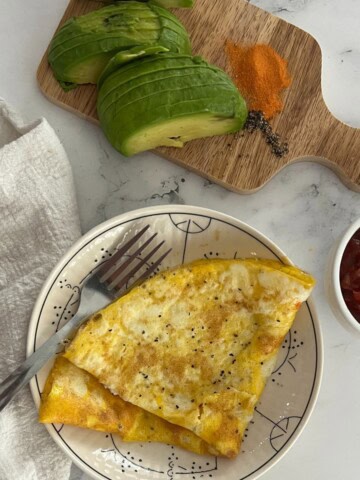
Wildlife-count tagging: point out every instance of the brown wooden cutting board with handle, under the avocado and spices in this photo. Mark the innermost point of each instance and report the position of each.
(244, 163)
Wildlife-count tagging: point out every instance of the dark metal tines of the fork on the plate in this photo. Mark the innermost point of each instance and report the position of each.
(115, 273)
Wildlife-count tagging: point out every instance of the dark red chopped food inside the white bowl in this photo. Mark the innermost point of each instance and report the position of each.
(350, 275)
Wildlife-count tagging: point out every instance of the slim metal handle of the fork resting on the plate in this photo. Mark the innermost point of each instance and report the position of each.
(24, 373)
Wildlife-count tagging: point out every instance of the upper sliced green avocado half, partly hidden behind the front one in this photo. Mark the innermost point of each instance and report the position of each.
(84, 45)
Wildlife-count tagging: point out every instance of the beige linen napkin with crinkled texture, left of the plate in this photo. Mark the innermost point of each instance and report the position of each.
(38, 222)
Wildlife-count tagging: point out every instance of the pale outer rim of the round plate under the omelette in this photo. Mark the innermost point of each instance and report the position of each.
(153, 211)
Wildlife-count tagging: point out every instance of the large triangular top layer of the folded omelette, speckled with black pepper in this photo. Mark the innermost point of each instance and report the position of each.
(195, 345)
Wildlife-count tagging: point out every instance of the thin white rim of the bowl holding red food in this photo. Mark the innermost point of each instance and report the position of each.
(339, 253)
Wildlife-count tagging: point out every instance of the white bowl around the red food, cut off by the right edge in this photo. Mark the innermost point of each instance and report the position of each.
(332, 281)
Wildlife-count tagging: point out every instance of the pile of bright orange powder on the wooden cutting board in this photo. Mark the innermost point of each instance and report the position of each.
(260, 74)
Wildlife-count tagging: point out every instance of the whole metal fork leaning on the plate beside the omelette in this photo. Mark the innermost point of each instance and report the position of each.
(99, 289)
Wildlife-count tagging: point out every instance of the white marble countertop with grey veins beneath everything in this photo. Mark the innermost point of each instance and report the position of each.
(303, 209)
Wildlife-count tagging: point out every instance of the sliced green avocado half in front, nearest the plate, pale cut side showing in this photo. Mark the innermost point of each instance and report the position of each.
(167, 100)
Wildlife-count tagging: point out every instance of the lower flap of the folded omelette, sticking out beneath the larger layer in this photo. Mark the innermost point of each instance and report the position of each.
(74, 397)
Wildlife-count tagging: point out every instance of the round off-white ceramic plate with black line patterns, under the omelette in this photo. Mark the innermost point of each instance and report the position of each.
(288, 399)
